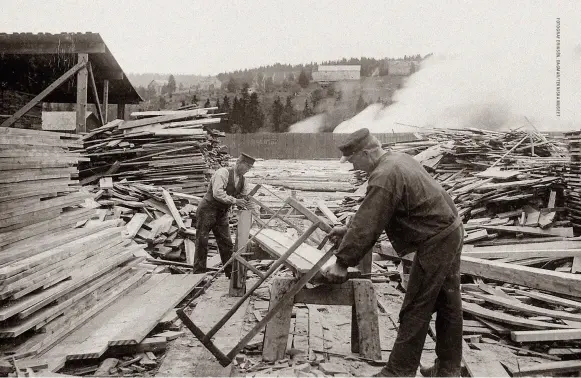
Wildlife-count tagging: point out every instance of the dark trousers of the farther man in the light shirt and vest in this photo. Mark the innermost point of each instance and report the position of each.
(211, 218)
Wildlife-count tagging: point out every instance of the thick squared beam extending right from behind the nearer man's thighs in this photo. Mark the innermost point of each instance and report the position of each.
(542, 279)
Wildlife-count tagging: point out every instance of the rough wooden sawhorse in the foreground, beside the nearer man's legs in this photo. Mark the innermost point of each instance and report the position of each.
(357, 293)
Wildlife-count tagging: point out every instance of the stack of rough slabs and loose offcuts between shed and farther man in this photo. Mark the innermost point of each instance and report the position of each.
(146, 169)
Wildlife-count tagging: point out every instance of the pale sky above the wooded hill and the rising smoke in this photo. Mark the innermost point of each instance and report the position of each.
(209, 37)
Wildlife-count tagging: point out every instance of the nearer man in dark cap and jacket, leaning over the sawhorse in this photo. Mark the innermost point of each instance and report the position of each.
(418, 215)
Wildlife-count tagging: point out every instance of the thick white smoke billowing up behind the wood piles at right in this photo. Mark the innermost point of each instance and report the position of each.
(492, 88)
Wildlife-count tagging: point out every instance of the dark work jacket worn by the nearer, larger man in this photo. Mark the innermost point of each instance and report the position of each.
(405, 201)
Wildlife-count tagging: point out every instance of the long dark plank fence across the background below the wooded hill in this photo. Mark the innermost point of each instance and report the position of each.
(296, 145)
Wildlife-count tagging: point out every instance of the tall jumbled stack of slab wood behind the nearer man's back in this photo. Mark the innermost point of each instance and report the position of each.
(503, 183)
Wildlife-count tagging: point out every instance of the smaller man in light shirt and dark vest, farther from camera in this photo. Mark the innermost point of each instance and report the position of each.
(227, 187)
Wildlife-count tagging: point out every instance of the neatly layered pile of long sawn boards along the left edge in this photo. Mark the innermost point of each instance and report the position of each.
(62, 263)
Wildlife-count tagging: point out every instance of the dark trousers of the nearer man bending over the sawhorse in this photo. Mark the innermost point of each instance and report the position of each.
(433, 286)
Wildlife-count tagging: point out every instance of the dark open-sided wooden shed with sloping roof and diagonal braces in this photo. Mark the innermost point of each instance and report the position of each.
(64, 68)
